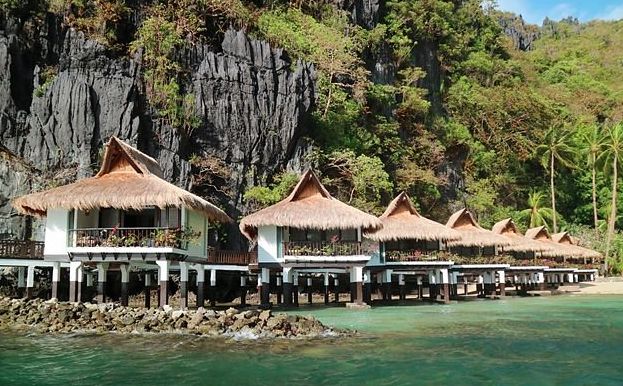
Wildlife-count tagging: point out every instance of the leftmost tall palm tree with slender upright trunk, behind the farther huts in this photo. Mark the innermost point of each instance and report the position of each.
(556, 148)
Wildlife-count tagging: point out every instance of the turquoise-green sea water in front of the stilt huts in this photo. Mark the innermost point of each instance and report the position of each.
(534, 341)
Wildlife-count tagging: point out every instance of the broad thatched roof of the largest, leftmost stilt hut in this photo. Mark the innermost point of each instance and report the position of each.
(128, 179)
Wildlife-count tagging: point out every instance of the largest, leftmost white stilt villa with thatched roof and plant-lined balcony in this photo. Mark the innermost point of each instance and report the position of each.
(125, 216)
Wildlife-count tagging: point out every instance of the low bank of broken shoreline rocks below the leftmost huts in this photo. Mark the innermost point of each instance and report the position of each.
(63, 317)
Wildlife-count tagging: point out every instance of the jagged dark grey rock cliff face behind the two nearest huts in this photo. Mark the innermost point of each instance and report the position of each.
(251, 100)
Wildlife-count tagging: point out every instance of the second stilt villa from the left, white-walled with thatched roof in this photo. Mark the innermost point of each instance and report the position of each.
(310, 230)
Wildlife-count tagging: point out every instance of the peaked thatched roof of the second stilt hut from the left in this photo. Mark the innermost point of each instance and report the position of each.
(309, 206)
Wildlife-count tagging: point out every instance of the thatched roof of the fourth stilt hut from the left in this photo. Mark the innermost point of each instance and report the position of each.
(472, 234)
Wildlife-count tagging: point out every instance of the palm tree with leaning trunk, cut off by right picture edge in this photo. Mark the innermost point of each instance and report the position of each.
(611, 159)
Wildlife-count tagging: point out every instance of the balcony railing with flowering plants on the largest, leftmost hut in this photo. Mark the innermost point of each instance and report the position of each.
(128, 237)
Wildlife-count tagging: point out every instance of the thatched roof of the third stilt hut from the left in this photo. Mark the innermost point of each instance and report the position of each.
(402, 221)
